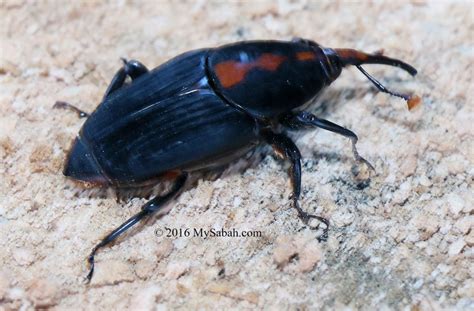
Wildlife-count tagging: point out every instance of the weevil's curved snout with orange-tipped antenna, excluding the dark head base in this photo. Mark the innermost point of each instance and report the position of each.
(357, 58)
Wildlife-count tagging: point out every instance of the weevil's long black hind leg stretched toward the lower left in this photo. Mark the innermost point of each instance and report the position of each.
(147, 210)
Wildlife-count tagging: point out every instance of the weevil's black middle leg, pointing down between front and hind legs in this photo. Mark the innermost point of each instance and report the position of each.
(284, 147)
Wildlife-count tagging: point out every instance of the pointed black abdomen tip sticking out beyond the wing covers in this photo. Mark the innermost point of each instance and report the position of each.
(80, 165)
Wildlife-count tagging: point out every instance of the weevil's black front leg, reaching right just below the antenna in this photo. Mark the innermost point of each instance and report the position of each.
(305, 119)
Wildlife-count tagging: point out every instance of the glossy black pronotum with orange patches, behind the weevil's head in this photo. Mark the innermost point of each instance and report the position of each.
(267, 78)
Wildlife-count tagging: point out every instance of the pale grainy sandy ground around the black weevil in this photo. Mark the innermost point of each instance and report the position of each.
(400, 239)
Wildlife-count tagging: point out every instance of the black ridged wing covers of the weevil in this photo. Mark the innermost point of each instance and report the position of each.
(169, 119)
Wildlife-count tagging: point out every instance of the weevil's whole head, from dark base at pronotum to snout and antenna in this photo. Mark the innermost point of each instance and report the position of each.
(339, 58)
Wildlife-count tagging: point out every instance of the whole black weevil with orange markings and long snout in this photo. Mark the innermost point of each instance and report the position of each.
(203, 109)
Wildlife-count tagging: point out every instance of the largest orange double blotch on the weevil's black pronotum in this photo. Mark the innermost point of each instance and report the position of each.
(232, 72)
